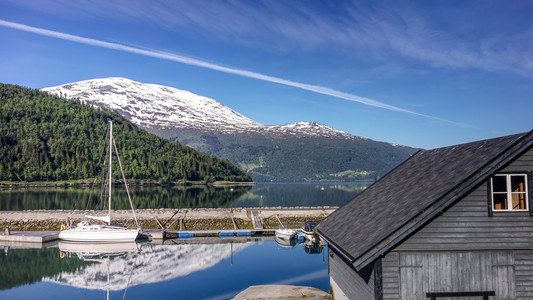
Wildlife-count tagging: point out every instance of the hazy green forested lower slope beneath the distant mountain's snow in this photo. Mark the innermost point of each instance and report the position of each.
(289, 158)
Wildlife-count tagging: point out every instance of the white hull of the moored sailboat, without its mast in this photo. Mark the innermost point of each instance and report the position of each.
(104, 234)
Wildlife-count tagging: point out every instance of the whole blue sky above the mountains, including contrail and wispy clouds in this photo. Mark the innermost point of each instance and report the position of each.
(419, 73)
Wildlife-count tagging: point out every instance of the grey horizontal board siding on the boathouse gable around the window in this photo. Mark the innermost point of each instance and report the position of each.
(468, 226)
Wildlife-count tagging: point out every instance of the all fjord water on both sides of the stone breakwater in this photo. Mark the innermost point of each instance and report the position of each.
(210, 268)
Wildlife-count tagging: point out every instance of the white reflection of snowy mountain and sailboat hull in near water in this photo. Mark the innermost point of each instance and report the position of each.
(141, 264)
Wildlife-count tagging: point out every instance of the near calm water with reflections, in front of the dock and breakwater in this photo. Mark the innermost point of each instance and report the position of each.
(208, 268)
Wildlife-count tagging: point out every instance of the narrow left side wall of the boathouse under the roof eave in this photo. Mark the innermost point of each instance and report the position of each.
(352, 284)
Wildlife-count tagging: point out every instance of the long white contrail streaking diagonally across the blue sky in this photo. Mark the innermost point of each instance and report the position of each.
(207, 65)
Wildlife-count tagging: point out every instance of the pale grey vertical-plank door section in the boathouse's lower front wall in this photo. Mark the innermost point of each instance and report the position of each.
(457, 272)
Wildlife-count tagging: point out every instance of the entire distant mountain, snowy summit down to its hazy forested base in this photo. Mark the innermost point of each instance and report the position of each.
(299, 151)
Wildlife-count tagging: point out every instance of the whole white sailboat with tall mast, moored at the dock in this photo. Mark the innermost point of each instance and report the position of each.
(86, 231)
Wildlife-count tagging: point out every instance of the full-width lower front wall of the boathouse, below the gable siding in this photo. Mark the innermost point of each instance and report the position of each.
(508, 273)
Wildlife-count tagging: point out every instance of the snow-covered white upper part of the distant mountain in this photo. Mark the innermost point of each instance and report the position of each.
(156, 107)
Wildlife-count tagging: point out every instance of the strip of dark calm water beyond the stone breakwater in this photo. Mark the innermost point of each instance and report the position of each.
(151, 197)
